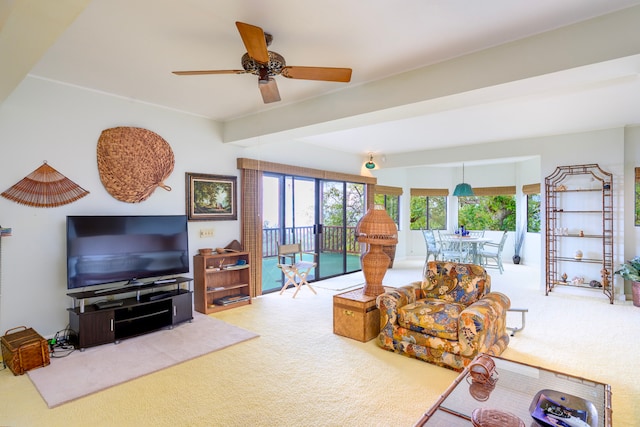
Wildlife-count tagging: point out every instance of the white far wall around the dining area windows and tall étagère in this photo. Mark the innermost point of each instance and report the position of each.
(615, 150)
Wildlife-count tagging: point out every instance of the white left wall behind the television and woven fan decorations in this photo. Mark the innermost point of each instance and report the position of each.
(61, 124)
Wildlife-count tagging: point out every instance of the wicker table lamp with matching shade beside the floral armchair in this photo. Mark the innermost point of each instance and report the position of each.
(377, 229)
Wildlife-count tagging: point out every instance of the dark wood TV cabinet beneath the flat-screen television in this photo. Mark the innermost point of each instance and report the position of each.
(152, 306)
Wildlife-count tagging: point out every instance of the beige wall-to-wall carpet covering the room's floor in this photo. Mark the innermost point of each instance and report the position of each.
(298, 373)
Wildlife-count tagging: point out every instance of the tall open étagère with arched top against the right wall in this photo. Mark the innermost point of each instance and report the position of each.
(579, 215)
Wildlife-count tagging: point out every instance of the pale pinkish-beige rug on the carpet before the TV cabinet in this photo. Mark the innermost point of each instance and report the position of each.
(85, 372)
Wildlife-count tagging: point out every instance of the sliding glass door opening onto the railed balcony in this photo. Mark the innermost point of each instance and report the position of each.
(319, 214)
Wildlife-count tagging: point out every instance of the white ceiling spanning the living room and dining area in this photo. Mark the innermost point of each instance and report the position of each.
(129, 48)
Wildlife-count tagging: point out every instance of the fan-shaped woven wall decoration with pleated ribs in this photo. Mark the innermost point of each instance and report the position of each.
(45, 187)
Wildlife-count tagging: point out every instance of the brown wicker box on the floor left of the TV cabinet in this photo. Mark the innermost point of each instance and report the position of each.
(24, 349)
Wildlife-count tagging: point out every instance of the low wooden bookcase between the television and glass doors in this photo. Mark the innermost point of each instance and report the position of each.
(212, 283)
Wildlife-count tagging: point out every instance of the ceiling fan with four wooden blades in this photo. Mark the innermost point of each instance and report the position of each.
(266, 64)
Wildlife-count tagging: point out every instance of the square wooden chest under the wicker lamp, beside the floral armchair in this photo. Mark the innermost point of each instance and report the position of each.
(355, 315)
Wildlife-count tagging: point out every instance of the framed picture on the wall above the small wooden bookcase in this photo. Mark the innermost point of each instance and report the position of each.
(211, 197)
